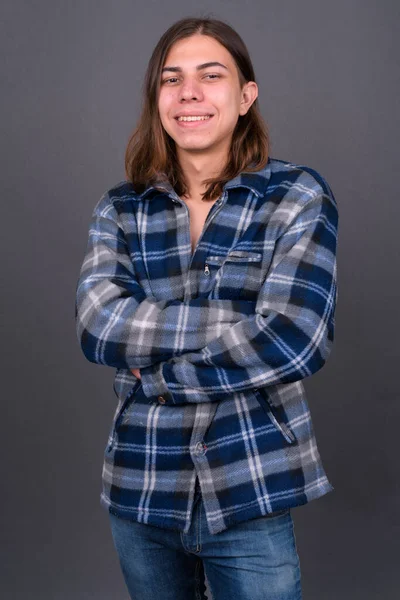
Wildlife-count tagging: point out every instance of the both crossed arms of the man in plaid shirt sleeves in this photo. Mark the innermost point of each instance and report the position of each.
(203, 350)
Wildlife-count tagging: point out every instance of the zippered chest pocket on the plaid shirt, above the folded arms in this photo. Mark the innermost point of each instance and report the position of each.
(236, 275)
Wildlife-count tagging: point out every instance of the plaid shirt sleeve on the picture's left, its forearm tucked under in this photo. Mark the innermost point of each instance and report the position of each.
(118, 325)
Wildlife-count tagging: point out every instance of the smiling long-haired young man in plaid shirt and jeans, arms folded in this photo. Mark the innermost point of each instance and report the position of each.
(209, 283)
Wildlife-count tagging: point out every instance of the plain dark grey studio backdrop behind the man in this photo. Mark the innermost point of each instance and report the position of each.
(328, 75)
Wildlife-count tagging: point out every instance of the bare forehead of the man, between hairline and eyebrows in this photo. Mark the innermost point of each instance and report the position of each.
(189, 52)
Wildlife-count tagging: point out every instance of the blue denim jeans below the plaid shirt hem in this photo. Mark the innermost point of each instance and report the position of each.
(253, 560)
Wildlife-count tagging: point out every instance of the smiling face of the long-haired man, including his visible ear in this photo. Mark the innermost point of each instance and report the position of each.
(200, 79)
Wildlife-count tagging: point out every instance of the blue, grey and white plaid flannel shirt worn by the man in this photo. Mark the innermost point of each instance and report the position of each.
(223, 337)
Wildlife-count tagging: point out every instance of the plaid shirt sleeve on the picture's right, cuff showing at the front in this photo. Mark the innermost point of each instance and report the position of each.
(291, 333)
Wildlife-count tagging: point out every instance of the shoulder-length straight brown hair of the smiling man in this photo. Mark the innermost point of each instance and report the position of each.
(151, 155)
